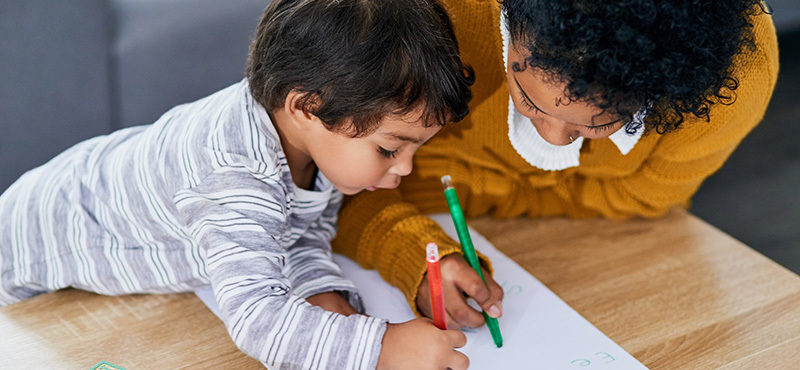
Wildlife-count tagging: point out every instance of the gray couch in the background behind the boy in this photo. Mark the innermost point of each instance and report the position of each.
(71, 70)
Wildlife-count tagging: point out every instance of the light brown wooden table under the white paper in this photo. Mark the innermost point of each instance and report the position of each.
(674, 292)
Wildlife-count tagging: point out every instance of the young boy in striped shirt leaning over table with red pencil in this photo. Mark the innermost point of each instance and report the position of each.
(241, 189)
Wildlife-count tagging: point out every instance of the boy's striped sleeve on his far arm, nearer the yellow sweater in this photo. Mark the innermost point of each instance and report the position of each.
(310, 266)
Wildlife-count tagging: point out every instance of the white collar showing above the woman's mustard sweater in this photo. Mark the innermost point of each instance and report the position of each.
(538, 152)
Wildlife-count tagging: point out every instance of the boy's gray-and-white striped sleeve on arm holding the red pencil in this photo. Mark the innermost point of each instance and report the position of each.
(230, 213)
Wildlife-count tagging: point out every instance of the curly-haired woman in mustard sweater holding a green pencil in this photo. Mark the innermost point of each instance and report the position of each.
(581, 108)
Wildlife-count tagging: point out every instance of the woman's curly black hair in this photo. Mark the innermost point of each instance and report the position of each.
(670, 57)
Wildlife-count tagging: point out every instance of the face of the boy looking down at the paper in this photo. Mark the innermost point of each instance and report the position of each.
(370, 162)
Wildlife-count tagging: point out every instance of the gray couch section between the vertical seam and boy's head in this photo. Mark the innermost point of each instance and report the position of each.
(171, 52)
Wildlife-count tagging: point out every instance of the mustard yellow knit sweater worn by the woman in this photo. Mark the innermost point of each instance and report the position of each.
(386, 230)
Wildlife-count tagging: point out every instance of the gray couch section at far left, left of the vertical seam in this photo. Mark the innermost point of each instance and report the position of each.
(54, 73)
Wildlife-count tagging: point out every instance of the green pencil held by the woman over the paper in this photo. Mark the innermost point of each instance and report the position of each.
(468, 249)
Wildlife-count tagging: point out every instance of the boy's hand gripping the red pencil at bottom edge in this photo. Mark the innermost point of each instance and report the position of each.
(419, 345)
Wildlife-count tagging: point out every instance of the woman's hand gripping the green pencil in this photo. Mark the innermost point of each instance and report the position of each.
(460, 281)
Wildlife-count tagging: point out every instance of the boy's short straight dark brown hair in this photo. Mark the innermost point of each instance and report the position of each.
(357, 61)
